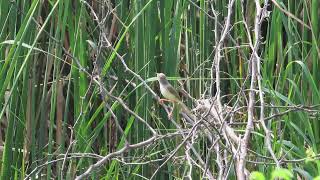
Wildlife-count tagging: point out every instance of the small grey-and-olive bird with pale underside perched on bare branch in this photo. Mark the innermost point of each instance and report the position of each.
(171, 95)
